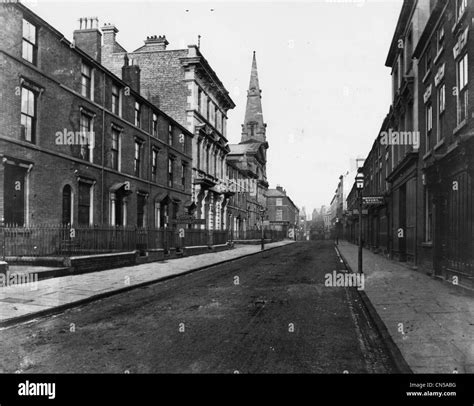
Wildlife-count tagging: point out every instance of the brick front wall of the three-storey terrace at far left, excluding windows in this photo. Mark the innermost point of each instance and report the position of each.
(59, 103)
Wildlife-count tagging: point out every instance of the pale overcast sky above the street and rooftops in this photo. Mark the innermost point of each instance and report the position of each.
(321, 65)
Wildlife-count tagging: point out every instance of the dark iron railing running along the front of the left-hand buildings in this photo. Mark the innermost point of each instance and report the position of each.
(66, 240)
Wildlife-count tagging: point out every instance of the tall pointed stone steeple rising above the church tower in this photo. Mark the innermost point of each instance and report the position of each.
(253, 129)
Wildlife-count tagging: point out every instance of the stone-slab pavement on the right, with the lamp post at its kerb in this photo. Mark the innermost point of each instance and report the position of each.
(431, 322)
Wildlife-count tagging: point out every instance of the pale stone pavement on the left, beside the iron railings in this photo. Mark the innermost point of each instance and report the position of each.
(36, 298)
